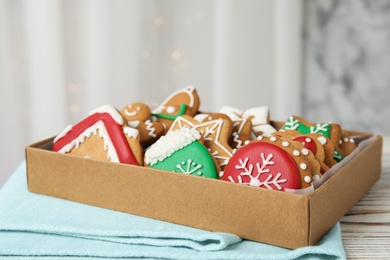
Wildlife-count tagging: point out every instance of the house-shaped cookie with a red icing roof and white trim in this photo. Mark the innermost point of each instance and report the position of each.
(103, 135)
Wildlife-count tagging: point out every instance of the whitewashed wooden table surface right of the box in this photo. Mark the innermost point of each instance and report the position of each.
(366, 227)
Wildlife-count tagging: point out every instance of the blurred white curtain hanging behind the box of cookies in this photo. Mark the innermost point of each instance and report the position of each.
(61, 59)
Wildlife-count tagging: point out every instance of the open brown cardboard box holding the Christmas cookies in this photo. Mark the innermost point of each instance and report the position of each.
(273, 217)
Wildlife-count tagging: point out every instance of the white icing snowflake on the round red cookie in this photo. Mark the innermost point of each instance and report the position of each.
(248, 170)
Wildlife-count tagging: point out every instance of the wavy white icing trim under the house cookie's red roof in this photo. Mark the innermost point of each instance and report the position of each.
(108, 145)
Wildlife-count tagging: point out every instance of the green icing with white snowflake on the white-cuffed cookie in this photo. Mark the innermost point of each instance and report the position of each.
(194, 159)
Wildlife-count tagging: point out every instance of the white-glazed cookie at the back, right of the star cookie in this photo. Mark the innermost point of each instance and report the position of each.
(258, 116)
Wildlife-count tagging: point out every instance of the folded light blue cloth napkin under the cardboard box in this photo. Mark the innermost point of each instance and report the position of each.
(33, 225)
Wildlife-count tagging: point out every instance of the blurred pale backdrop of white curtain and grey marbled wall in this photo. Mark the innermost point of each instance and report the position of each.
(325, 60)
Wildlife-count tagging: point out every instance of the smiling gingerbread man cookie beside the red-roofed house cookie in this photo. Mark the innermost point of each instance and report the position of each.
(138, 115)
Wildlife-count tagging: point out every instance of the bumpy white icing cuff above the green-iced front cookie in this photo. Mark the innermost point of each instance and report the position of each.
(170, 143)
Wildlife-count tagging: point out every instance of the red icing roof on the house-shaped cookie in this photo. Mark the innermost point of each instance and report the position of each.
(114, 130)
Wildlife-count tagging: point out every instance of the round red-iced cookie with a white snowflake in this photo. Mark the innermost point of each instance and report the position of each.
(265, 165)
